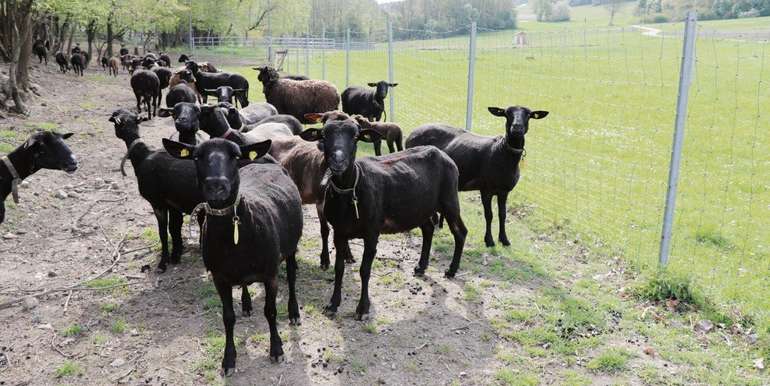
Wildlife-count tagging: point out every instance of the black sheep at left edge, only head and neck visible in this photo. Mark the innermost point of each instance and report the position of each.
(41, 150)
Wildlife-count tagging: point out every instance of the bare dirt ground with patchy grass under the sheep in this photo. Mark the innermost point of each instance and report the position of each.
(166, 329)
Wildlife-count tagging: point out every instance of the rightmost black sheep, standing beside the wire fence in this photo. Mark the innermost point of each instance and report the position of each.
(487, 164)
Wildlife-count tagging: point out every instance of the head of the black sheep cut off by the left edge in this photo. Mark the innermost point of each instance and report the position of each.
(50, 152)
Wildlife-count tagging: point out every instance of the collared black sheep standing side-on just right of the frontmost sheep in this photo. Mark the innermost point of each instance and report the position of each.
(388, 194)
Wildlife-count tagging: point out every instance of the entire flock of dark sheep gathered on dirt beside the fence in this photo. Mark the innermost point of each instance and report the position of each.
(244, 174)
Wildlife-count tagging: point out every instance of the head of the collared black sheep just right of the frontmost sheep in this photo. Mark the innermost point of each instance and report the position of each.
(338, 141)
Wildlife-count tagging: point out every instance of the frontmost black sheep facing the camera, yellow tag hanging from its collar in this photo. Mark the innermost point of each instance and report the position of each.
(253, 221)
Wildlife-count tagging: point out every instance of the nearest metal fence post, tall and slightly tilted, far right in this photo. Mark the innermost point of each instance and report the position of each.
(685, 77)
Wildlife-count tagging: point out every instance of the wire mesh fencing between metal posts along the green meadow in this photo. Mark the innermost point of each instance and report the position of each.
(600, 160)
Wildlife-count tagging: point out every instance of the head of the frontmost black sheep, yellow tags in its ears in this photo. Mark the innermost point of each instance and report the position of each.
(216, 164)
